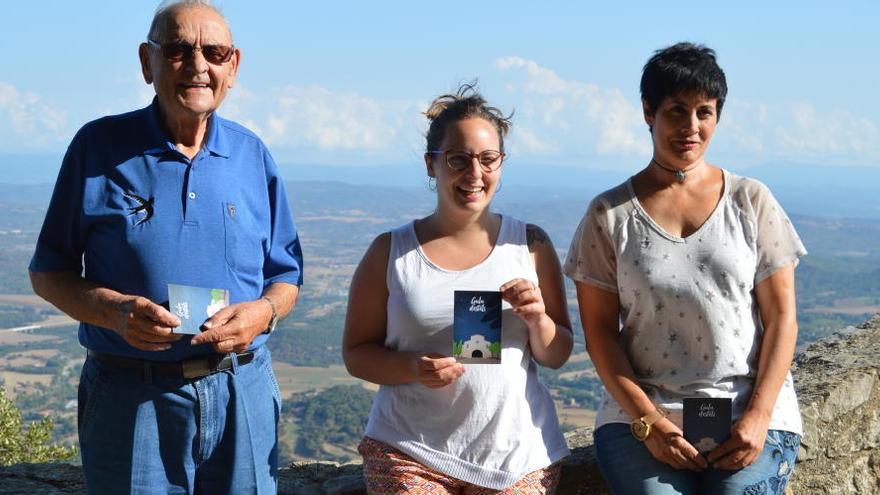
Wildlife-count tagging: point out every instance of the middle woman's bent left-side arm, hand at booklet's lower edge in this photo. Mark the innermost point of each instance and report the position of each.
(363, 349)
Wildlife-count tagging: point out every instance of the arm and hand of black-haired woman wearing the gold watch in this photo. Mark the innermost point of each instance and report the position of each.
(600, 316)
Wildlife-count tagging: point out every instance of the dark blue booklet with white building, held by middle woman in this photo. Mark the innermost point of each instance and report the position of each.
(476, 333)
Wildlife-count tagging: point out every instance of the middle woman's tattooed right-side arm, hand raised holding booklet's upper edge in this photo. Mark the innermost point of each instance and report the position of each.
(543, 308)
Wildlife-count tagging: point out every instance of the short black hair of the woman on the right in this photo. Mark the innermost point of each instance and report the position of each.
(680, 68)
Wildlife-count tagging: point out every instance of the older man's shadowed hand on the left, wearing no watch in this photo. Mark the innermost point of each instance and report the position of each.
(145, 325)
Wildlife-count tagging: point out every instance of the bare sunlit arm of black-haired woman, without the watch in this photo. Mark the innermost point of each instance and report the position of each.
(776, 302)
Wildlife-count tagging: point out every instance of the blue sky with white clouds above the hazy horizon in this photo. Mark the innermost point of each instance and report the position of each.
(343, 83)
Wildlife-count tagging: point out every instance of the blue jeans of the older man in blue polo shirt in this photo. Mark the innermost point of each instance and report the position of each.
(140, 432)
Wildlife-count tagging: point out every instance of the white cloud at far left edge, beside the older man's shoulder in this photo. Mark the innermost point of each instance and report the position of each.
(29, 119)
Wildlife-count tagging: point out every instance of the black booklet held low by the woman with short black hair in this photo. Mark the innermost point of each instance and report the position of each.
(706, 422)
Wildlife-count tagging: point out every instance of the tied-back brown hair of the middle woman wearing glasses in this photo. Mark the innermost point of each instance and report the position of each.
(466, 103)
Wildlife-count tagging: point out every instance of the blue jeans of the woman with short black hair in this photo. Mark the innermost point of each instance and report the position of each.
(630, 469)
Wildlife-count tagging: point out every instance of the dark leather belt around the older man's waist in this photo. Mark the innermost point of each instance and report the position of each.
(189, 368)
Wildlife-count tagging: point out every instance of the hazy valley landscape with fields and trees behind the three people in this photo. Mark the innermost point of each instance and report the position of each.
(836, 287)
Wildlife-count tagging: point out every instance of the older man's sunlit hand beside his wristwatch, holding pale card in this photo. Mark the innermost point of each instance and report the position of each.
(233, 328)
